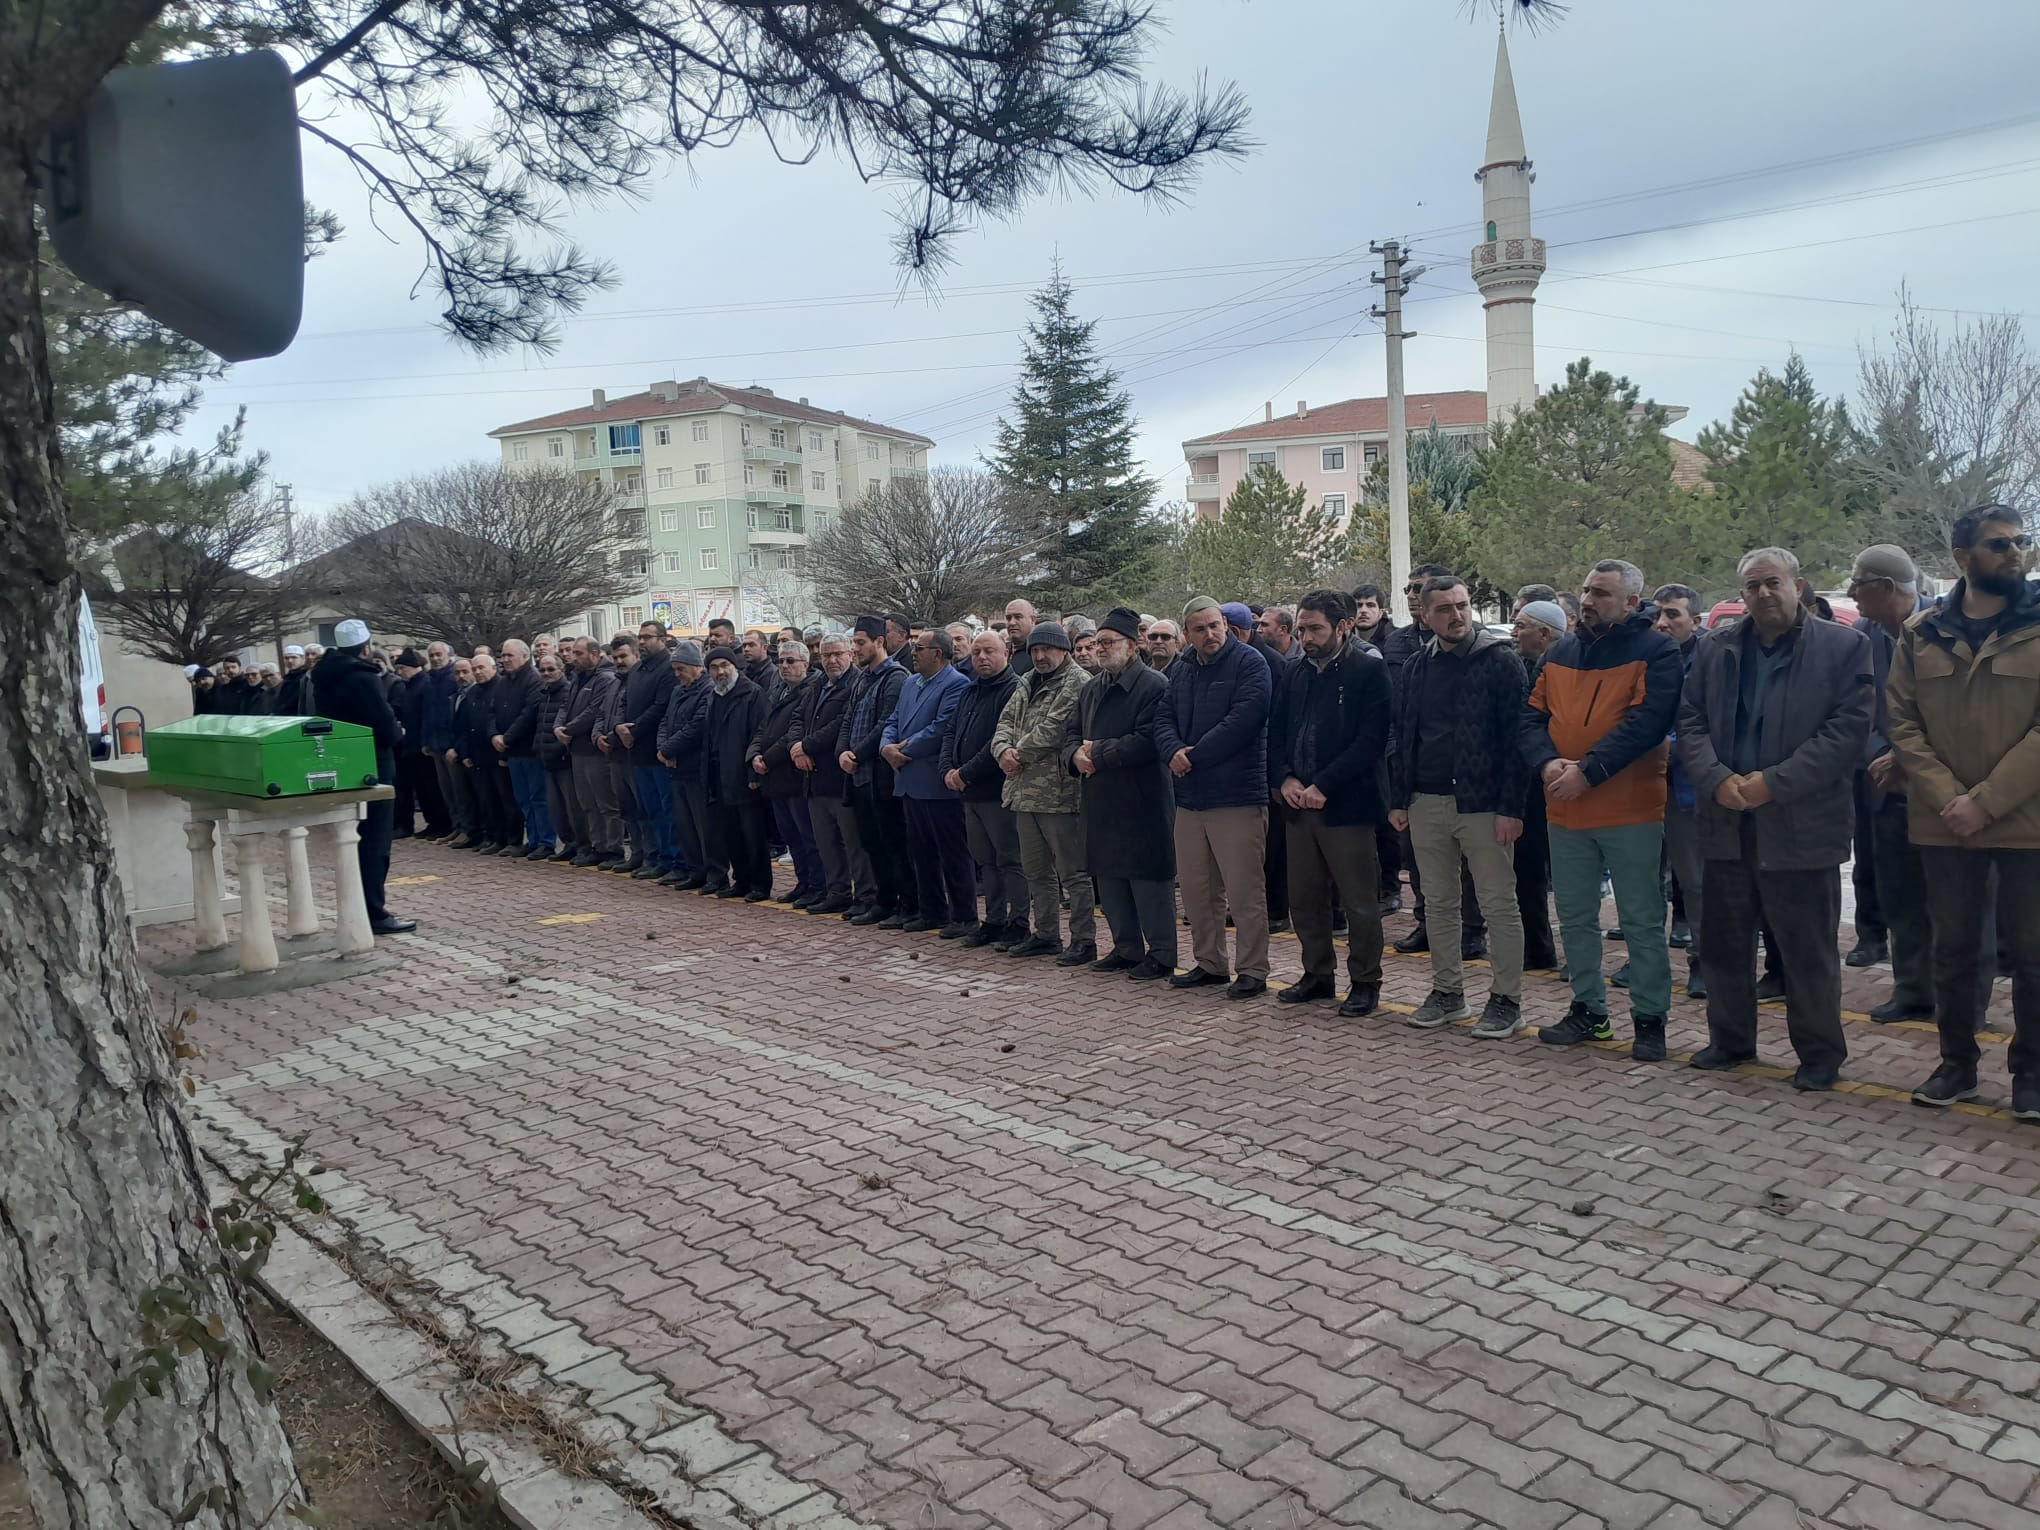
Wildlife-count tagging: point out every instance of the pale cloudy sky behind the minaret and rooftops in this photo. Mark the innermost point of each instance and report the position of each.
(1721, 183)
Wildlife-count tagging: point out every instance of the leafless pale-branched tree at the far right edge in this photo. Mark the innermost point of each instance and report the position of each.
(1947, 421)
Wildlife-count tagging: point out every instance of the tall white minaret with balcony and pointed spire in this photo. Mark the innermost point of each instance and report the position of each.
(1509, 262)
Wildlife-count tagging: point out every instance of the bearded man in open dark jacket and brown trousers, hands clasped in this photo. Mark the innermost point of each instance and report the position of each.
(1329, 733)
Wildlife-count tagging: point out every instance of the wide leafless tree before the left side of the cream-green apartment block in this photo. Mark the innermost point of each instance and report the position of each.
(478, 554)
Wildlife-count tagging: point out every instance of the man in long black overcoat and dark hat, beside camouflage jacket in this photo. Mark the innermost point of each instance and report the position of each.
(1129, 833)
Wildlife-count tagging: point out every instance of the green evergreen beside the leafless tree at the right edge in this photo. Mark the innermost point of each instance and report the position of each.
(1780, 470)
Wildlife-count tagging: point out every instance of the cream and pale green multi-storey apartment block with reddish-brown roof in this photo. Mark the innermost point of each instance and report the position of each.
(725, 484)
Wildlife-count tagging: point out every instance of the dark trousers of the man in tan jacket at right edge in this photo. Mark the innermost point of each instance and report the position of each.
(1957, 890)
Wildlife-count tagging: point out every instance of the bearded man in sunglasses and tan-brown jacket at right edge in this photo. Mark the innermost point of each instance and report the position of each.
(1963, 699)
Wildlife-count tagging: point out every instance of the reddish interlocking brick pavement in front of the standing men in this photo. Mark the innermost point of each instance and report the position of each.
(962, 1241)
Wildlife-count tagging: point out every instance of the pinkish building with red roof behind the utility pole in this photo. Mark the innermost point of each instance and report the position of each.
(1329, 450)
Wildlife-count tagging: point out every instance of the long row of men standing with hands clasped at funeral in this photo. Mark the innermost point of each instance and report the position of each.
(1003, 788)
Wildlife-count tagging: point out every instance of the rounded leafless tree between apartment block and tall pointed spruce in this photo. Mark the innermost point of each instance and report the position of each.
(935, 550)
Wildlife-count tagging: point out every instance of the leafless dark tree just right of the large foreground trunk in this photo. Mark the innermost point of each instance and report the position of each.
(201, 589)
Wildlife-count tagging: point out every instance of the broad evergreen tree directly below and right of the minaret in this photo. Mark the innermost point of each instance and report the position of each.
(1582, 476)
